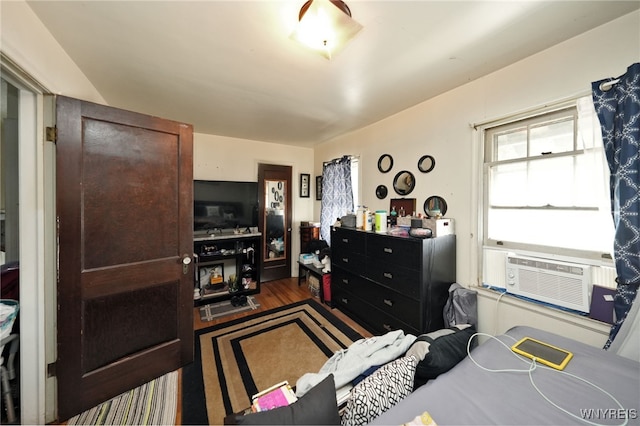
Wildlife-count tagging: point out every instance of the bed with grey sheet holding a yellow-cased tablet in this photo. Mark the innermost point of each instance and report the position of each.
(469, 395)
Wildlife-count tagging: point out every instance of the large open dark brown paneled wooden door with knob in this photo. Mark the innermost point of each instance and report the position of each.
(125, 287)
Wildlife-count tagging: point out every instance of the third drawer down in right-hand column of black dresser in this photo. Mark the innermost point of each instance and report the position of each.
(393, 304)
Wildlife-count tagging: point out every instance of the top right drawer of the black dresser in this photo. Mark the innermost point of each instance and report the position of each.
(405, 252)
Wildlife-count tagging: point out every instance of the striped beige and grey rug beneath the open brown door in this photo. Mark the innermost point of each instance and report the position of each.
(154, 403)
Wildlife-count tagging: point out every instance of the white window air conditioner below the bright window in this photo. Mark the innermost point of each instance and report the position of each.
(558, 283)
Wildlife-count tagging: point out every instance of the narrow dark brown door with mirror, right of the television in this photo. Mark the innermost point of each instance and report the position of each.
(275, 192)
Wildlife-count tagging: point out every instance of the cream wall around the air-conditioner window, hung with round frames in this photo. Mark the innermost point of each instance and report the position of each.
(442, 127)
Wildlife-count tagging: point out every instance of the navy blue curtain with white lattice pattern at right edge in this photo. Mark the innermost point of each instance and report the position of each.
(618, 108)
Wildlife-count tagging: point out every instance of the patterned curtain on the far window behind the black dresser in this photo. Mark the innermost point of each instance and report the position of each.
(337, 194)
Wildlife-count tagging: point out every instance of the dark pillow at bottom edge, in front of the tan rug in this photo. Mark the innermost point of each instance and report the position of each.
(316, 407)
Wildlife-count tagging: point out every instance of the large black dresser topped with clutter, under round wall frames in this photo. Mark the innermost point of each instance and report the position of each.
(388, 282)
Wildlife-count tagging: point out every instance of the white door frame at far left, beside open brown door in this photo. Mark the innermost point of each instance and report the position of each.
(37, 225)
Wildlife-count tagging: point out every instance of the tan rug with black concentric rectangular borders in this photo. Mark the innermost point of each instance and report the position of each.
(237, 359)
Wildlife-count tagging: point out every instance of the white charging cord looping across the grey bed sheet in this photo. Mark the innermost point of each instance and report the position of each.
(533, 365)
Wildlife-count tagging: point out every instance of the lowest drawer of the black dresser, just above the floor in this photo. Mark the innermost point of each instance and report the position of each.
(371, 317)
